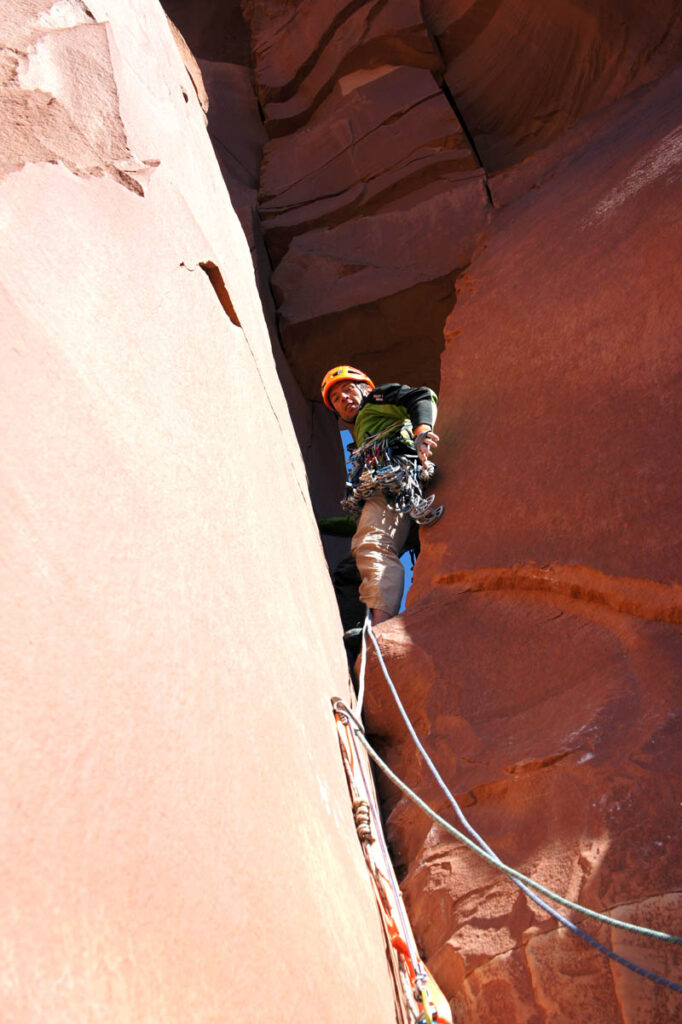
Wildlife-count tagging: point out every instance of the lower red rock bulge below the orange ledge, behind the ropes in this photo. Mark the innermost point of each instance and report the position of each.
(556, 729)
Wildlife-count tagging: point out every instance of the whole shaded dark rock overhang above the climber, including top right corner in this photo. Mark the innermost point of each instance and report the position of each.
(390, 125)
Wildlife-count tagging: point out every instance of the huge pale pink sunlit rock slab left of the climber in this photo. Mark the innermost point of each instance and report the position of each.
(164, 657)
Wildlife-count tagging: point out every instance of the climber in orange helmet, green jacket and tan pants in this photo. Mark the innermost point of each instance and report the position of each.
(393, 430)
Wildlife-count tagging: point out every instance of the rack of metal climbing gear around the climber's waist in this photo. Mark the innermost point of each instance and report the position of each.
(382, 465)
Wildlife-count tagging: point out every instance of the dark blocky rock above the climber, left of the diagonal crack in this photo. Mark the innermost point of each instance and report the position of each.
(366, 174)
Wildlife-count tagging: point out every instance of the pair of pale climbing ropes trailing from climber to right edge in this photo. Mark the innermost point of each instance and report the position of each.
(482, 848)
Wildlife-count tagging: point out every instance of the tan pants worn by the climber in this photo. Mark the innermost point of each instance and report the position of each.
(377, 544)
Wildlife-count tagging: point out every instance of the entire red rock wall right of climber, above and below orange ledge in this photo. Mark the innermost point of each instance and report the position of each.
(541, 653)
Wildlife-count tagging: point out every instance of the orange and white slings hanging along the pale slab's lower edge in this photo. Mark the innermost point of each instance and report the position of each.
(420, 996)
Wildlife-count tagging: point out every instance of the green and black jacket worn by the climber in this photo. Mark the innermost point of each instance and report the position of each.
(394, 404)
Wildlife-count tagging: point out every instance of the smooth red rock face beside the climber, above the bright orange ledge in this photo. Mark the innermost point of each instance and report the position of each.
(569, 442)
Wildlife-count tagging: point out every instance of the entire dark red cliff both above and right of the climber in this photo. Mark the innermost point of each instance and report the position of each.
(541, 649)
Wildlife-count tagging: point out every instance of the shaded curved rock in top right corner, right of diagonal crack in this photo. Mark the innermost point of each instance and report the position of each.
(522, 73)
